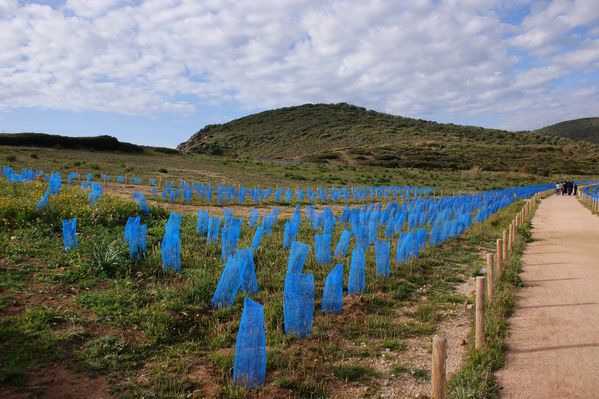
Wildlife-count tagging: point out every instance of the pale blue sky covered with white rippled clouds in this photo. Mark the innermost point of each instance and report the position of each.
(155, 72)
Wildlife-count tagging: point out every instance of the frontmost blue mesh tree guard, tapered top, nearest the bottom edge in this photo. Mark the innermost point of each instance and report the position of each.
(249, 363)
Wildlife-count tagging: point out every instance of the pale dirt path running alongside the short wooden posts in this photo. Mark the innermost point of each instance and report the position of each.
(554, 333)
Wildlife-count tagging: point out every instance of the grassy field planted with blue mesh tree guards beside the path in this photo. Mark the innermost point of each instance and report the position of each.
(152, 286)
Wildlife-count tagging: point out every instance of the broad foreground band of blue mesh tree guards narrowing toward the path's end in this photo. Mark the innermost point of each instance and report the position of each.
(411, 226)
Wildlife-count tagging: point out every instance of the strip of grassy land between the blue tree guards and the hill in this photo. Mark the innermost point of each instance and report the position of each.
(213, 169)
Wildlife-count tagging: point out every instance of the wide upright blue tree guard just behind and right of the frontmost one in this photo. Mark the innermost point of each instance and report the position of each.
(298, 304)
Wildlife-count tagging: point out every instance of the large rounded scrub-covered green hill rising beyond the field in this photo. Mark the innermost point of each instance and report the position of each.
(356, 136)
